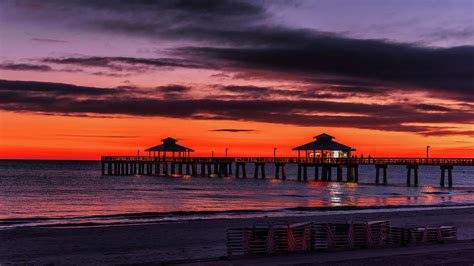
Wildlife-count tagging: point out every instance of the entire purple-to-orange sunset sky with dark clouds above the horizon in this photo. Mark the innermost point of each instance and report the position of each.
(81, 79)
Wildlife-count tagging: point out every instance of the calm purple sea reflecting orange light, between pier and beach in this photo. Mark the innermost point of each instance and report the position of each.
(73, 193)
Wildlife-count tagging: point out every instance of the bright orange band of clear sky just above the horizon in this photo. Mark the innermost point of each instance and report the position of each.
(31, 136)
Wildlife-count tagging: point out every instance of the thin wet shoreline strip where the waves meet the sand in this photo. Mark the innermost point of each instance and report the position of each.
(15, 223)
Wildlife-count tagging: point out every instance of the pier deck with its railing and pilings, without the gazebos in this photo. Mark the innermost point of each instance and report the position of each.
(222, 166)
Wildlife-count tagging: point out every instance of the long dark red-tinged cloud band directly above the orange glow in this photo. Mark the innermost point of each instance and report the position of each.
(64, 99)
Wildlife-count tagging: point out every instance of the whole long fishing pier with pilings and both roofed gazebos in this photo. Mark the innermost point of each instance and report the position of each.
(323, 155)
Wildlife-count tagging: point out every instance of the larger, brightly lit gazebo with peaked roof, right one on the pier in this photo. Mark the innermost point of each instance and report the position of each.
(324, 147)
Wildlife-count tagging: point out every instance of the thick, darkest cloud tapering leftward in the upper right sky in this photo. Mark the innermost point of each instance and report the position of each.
(443, 71)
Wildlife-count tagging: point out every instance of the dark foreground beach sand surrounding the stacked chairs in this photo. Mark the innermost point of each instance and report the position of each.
(187, 241)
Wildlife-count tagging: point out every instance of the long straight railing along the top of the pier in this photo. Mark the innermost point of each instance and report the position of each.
(301, 160)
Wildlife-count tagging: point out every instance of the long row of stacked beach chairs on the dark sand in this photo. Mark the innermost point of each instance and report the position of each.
(282, 237)
